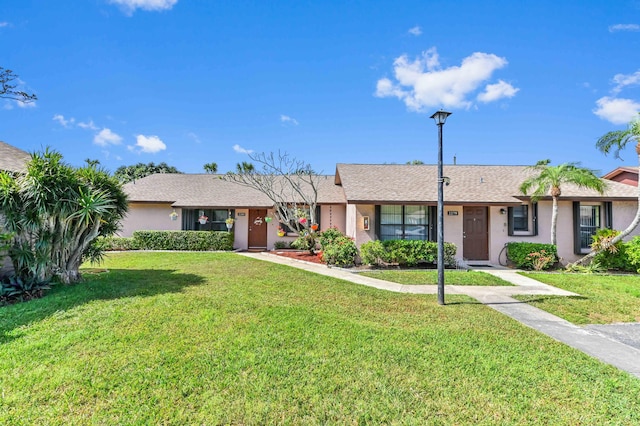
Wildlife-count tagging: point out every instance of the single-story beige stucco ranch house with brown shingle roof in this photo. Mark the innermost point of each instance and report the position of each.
(483, 208)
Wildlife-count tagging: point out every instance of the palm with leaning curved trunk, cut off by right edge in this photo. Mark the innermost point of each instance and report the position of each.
(616, 141)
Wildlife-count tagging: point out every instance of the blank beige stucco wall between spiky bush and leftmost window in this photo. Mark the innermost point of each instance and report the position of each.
(150, 217)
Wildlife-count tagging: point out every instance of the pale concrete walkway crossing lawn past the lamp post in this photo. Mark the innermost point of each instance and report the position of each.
(613, 345)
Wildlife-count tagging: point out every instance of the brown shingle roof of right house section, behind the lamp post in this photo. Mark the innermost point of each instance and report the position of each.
(469, 184)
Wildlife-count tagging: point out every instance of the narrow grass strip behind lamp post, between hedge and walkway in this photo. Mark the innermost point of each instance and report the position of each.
(451, 277)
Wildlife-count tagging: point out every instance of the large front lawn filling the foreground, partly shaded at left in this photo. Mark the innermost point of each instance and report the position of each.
(216, 338)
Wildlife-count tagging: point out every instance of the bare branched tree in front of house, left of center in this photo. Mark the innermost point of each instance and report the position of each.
(291, 184)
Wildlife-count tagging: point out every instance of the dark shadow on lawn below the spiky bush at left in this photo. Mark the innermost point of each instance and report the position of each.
(111, 285)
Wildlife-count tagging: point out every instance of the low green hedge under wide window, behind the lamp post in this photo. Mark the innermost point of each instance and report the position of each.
(405, 253)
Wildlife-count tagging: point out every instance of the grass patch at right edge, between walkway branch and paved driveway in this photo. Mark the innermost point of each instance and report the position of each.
(604, 299)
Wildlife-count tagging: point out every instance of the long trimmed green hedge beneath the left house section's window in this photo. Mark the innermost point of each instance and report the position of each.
(170, 240)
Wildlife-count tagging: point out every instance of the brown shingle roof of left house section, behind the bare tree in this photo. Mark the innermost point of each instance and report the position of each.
(208, 190)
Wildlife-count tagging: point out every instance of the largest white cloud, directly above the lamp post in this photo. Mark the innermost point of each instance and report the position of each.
(424, 83)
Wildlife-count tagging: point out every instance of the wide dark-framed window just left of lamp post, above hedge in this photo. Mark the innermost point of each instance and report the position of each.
(403, 222)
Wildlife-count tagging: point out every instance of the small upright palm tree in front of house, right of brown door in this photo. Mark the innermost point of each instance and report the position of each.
(549, 179)
